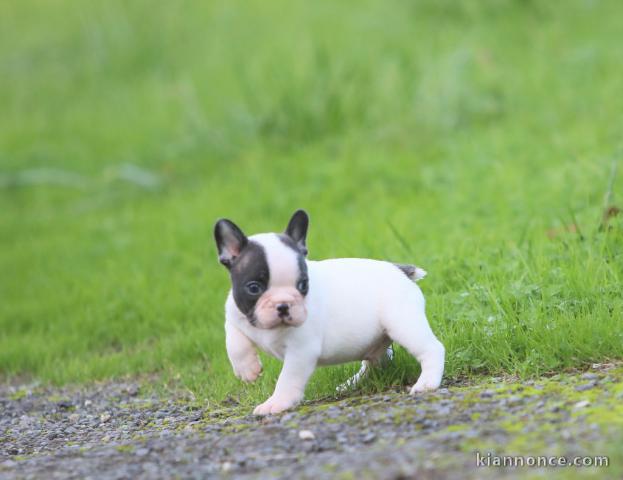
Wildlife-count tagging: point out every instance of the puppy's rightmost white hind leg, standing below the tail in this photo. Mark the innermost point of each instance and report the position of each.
(407, 325)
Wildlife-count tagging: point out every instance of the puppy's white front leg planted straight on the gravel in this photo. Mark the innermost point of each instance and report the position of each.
(297, 368)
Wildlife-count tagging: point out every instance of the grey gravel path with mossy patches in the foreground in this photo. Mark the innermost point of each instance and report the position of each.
(114, 431)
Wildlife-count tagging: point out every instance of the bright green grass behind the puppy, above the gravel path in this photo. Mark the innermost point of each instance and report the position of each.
(463, 136)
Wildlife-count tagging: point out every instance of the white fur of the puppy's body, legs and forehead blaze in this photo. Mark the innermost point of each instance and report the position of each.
(355, 308)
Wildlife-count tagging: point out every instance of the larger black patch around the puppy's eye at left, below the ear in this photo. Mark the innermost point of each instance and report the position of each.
(250, 266)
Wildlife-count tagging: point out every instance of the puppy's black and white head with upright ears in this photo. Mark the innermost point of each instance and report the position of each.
(268, 271)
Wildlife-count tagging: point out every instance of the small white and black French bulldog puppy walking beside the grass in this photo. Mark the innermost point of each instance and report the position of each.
(309, 313)
